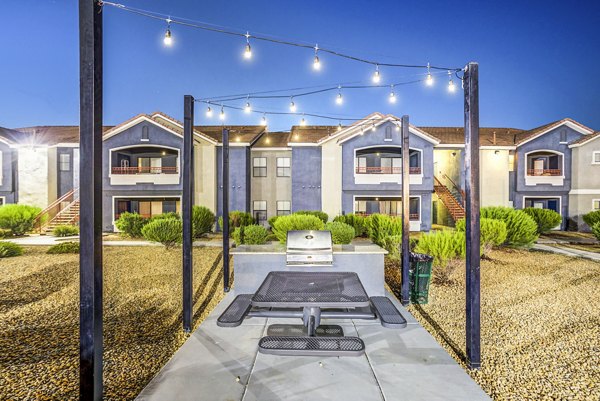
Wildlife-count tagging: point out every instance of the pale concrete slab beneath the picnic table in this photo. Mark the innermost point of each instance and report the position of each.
(219, 364)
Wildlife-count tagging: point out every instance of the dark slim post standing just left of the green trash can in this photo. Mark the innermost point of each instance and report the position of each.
(404, 143)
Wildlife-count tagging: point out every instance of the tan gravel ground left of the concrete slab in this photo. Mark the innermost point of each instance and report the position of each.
(39, 341)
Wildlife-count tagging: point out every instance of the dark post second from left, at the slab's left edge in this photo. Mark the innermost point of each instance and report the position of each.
(187, 201)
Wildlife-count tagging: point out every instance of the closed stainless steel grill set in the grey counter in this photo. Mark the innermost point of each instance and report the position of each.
(309, 248)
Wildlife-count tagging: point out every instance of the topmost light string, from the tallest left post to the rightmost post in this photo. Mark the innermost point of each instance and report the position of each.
(226, 31)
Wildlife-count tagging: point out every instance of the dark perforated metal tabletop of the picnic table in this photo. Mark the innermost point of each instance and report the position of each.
(286, 289)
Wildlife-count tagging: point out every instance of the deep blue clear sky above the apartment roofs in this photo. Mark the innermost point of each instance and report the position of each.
(538, 59)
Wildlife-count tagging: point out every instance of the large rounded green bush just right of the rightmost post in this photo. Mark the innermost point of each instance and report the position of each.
(521, 228)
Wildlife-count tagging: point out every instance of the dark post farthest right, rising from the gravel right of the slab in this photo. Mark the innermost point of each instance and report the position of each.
(471, 87)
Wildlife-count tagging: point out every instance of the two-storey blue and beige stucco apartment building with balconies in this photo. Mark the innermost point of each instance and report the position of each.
(355, 169)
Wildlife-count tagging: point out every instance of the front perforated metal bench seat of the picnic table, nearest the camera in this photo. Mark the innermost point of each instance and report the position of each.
(311, 346)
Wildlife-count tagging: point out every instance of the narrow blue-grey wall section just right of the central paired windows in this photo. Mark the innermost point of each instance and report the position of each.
(306, 178)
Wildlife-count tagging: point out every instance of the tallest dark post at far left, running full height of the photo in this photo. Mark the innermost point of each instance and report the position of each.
(90, 195)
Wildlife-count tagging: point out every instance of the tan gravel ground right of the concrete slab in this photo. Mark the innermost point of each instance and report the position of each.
(540, 325)
